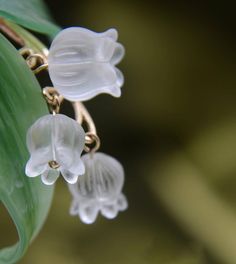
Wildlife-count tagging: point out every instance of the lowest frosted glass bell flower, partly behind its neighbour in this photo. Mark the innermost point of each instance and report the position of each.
(99, 189)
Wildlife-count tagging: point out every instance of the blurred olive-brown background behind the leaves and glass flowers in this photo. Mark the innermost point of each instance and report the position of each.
(173, 129)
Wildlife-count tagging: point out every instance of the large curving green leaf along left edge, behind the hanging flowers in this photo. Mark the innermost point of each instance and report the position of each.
(26, 199)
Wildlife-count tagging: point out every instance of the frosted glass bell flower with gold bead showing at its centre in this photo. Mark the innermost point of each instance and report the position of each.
(55, 143)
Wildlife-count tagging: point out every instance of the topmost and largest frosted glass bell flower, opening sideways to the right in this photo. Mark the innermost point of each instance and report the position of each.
(81, 63)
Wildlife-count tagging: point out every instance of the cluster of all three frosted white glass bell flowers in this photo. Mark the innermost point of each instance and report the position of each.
(81, 65)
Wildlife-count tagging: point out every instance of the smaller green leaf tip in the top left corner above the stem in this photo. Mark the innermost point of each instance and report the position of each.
(31, 14)
